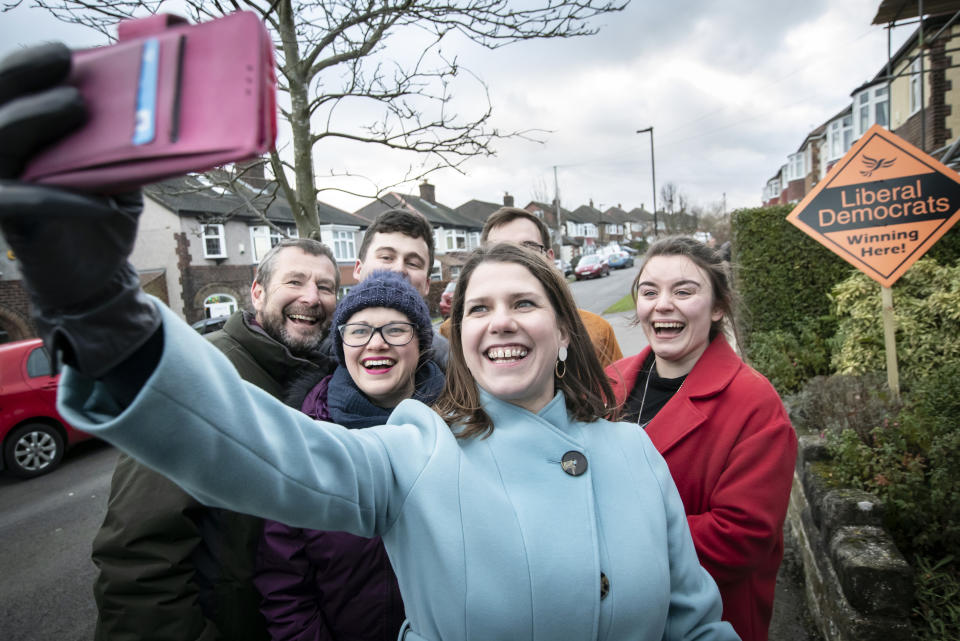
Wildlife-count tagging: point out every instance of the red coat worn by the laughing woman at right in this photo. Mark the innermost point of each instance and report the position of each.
(731, 450)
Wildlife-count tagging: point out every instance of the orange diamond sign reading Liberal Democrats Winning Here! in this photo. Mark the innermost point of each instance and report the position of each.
(882, 206)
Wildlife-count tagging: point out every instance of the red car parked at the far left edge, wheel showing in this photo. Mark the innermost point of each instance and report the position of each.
(33, 433)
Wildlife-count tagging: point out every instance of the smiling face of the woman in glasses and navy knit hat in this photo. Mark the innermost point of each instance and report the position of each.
(384, 372)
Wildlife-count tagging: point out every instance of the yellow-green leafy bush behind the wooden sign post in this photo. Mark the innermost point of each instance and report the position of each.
(926, 304)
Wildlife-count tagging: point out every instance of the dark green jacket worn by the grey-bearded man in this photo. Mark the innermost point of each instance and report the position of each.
(170, 567)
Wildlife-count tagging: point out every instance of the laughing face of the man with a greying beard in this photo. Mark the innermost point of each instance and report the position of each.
(295, 306)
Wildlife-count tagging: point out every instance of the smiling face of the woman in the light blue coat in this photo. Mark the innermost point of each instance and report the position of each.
(510, 335)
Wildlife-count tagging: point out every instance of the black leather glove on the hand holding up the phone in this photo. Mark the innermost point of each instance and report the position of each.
(72, 247)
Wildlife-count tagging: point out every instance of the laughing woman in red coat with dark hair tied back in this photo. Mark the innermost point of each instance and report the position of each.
(719, 424)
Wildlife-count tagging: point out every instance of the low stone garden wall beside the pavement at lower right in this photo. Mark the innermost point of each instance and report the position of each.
(858, 585)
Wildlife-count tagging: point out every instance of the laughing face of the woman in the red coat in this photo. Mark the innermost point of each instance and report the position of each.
(675, 308)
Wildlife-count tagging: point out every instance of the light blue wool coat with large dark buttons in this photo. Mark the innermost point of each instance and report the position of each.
(490, 539)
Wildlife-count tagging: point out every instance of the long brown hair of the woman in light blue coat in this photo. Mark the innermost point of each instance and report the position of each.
(586, 388)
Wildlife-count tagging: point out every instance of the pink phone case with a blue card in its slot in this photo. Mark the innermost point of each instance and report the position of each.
(168, 98)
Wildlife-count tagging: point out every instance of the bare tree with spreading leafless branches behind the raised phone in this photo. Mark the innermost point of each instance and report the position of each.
(335, 57)
